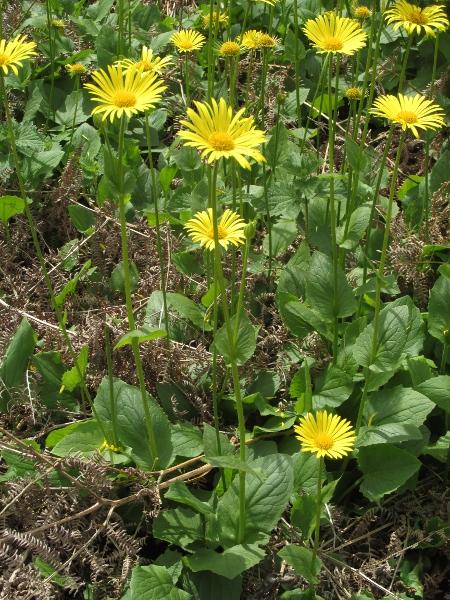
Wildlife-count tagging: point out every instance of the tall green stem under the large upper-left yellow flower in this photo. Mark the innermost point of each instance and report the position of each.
(127, 285)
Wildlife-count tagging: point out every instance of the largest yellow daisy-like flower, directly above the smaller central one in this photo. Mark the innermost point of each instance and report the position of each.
(216, 132)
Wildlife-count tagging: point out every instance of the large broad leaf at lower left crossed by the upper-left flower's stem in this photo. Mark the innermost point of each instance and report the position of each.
(131, 424)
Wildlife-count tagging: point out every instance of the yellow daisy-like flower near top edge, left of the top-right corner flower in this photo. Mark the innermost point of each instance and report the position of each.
(331, 33)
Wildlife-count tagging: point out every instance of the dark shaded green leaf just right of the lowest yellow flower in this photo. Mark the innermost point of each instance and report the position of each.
(385, 469)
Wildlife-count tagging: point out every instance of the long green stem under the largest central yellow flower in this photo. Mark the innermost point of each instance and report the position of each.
(232, 352)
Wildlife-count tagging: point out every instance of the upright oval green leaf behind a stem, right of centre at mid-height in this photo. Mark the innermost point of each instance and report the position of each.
(321, 294)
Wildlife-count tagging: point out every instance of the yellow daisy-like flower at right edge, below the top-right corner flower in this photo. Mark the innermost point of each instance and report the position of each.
(410, 112)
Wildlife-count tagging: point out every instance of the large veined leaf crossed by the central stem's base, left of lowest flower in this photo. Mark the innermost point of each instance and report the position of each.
(264, 501)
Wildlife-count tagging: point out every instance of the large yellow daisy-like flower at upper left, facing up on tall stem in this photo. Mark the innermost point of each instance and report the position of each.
(124, 93)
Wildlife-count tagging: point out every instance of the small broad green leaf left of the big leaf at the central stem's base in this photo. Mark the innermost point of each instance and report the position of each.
(179, 526)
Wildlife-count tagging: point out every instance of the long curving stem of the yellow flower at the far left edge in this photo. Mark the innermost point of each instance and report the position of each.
(48, 283)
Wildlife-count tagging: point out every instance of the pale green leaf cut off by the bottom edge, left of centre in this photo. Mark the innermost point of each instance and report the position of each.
(153, 583)
